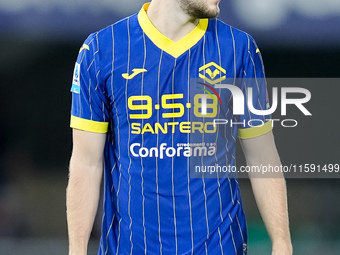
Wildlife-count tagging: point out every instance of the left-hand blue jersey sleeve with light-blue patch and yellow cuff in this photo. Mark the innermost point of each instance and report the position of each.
(89, 110)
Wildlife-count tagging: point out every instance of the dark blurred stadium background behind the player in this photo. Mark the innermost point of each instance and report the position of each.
(39, 43)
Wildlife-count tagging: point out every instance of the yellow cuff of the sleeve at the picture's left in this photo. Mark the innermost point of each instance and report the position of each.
(89, 125)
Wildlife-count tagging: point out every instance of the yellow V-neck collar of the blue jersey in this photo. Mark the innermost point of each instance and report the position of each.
(175, 49)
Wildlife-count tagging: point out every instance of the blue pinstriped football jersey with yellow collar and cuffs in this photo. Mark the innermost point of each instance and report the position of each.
(159, 102)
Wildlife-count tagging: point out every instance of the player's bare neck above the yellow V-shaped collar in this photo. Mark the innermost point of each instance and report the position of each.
(170, 19)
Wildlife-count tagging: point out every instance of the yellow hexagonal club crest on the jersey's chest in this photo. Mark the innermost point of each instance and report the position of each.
(212, 73)
